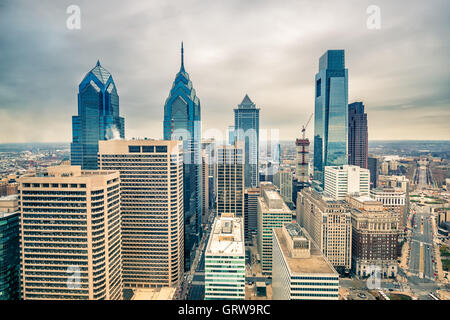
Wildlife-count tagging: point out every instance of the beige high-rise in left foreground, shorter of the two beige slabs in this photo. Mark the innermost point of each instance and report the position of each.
(71, 235)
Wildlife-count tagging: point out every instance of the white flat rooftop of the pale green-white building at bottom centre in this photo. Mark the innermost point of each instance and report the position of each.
(227, 237)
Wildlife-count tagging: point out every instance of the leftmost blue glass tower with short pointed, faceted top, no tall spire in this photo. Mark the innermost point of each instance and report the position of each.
(98, 117)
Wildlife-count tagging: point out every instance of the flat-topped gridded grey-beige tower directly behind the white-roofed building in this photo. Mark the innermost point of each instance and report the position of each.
(230, 179)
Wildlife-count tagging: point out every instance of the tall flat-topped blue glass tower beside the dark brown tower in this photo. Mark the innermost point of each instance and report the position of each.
(331, 113)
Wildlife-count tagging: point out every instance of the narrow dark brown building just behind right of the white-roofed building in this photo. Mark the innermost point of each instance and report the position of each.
(251, 213)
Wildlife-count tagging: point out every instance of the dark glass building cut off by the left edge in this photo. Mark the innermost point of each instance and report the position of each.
(9, 248)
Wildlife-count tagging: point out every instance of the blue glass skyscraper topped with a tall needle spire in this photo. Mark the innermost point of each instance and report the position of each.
(182, 121)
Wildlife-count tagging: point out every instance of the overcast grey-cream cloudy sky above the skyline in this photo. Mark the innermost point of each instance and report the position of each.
(268, 49)
